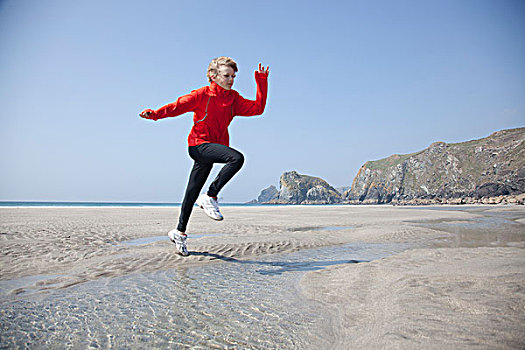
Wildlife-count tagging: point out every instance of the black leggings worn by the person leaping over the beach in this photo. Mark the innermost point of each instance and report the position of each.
(204, 156)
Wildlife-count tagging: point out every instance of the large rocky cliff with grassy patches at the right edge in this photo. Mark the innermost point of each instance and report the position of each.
(466, 172)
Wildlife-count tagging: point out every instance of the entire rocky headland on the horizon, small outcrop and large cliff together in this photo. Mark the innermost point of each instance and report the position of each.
(490, 170)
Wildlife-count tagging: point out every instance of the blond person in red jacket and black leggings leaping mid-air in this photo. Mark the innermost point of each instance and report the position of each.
(213, 108)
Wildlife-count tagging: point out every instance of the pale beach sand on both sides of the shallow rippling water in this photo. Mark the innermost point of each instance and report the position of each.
(449, 289)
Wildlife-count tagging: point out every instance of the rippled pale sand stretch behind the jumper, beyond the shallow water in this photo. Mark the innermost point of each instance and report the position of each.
(80, 244)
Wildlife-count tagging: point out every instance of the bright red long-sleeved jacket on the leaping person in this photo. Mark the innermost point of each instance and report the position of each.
(213, 110)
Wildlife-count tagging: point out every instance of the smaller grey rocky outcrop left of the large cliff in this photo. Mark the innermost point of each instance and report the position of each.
(300, 189)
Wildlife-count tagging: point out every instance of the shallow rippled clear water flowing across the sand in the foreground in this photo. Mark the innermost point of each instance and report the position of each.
(241, 304)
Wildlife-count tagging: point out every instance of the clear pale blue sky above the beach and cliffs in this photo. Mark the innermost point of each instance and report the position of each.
(350, 81)
